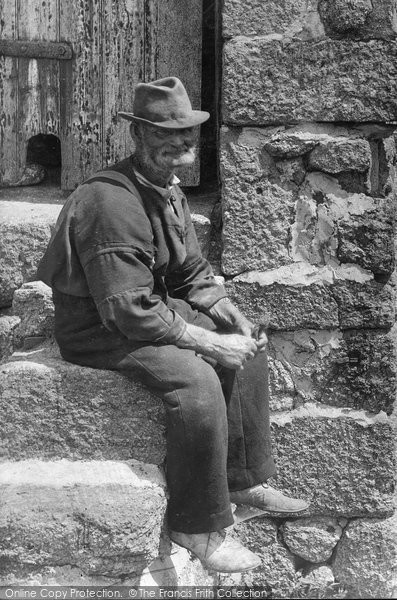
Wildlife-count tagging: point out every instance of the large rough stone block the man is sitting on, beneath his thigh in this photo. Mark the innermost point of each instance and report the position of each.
(51, 408)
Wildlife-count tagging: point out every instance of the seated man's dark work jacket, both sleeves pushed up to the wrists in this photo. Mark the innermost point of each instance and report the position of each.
(119, 244)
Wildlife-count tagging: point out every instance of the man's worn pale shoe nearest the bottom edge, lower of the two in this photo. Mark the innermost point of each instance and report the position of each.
(217, 551)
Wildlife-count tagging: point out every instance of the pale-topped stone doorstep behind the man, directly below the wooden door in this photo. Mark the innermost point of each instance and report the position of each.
(27, 216)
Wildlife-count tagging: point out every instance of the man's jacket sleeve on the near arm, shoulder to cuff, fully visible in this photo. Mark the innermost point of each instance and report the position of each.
(114, 242)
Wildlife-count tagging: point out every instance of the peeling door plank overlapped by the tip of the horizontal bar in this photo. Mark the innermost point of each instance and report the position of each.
(81, 24)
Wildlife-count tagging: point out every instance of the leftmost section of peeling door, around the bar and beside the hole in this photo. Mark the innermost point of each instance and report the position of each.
(29, 87)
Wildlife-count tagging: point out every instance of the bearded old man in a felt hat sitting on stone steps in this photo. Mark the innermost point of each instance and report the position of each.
(132, 292)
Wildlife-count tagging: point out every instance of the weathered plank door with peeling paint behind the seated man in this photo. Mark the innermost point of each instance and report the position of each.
(116, 44)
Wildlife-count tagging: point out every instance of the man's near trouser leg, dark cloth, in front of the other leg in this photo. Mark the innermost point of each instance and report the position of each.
(197, 434)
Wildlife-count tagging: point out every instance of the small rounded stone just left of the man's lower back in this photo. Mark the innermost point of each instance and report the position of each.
(32, 303)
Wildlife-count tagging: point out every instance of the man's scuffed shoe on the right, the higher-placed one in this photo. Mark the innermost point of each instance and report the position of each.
(266, 498)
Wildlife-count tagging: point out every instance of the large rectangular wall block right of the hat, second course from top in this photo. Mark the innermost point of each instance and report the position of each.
(274, 81)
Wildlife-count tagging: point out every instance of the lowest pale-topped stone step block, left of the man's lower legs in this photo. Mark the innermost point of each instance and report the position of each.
(102, 517)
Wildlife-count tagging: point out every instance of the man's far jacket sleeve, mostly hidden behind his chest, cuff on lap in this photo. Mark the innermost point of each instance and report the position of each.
(194, 281)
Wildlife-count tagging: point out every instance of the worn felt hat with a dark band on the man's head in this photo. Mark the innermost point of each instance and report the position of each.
(164, 103)
